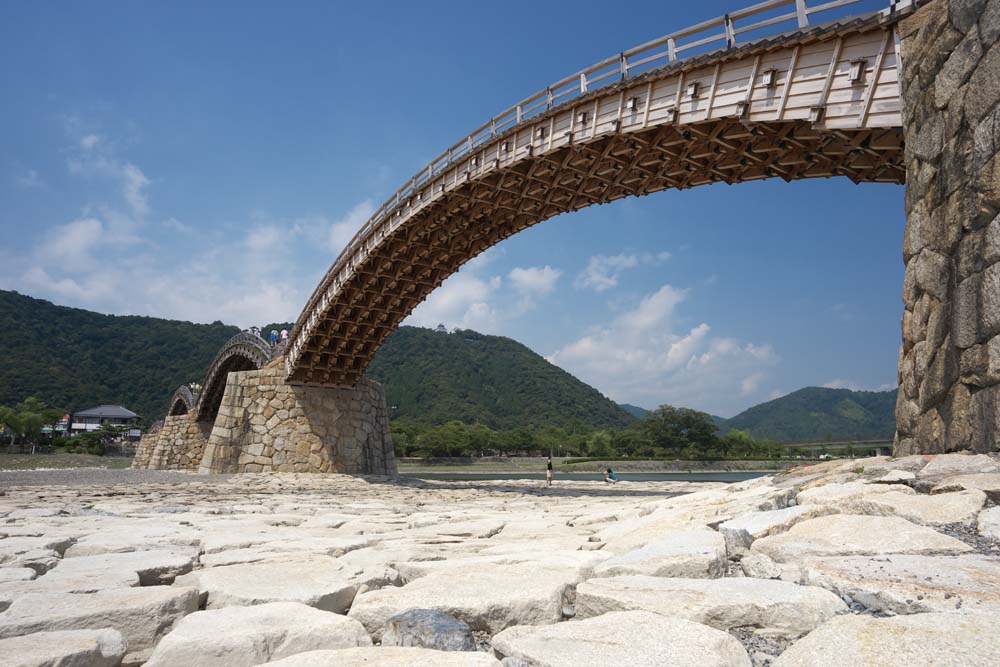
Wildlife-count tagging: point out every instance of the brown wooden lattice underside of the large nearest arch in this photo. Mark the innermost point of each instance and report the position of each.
(403, 267)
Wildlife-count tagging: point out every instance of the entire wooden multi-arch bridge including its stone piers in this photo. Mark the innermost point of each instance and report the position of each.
(768, 91)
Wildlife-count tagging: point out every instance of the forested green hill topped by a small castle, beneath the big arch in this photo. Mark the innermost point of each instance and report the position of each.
(434, 377)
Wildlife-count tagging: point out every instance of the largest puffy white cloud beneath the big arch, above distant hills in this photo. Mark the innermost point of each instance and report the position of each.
(644, 356)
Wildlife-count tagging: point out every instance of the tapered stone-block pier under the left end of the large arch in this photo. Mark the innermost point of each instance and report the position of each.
(265, 425)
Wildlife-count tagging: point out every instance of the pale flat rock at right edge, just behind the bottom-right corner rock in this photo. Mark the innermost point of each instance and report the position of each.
(904, 584)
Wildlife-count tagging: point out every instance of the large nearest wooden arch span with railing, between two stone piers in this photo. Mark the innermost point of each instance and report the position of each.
(818, 101)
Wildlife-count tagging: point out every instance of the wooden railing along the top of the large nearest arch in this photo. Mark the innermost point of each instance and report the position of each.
(763, 19)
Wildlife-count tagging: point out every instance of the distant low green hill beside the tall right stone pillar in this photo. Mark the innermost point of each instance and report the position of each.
(816, 413)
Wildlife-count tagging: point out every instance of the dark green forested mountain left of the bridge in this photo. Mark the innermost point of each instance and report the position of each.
(75, 359)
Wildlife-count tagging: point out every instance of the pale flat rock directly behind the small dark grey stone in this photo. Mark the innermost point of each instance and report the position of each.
(488, 599)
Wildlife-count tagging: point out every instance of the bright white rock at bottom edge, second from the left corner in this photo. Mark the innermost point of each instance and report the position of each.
(244, 636)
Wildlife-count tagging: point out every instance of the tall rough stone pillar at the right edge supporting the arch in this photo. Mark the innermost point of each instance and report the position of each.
(949, 364)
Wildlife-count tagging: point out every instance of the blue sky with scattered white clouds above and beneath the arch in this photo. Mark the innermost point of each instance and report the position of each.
(208, 163)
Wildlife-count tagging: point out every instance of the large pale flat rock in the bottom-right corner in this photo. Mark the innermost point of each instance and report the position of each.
(927, 640)
